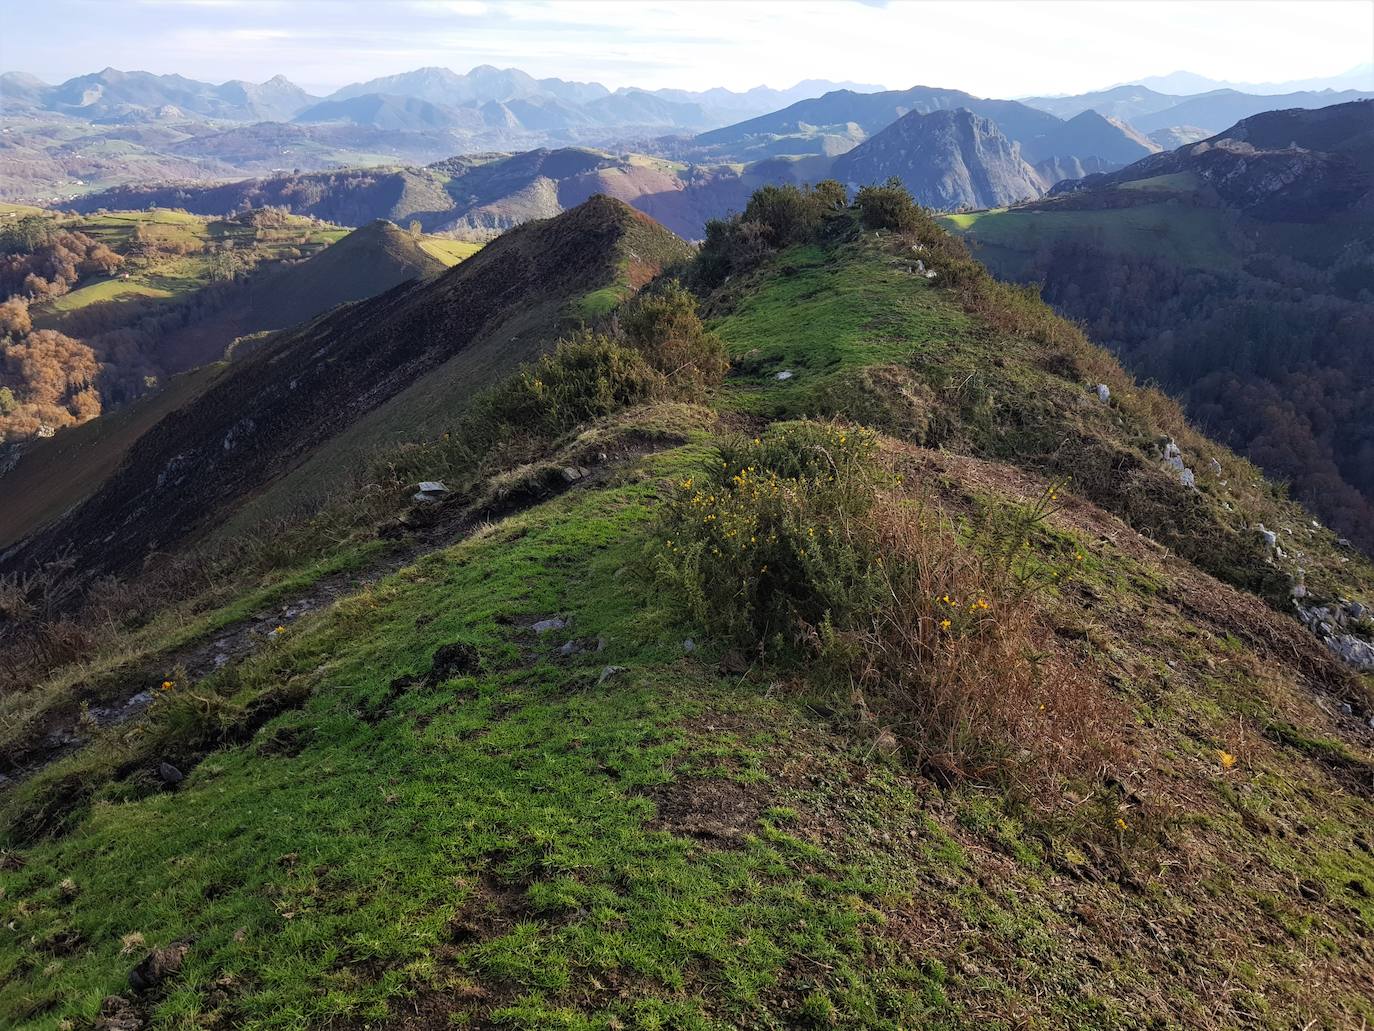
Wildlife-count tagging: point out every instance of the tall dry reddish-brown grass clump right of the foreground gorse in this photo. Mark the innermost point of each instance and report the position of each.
(961, 665)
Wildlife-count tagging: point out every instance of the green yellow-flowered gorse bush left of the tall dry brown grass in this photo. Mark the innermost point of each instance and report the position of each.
(774, 540)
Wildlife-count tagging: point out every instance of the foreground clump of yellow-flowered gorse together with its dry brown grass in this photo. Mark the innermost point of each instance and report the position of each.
(800, 546)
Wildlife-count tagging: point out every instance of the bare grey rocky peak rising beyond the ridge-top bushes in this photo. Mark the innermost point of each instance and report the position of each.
(947, 160)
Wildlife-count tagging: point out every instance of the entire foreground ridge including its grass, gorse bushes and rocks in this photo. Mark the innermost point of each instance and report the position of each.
(958, 743)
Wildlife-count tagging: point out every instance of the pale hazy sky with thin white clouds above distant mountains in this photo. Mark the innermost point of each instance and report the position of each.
(987, 47)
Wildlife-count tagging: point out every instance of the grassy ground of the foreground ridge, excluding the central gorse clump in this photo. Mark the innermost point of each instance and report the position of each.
(644, 835)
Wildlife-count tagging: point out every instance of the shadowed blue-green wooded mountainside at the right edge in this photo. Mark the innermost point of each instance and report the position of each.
(1235, 271)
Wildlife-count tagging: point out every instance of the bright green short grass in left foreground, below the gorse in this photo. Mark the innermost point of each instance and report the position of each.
(346, 869)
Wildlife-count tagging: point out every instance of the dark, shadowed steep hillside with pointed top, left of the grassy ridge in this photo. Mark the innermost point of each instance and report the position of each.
(288, 401)
